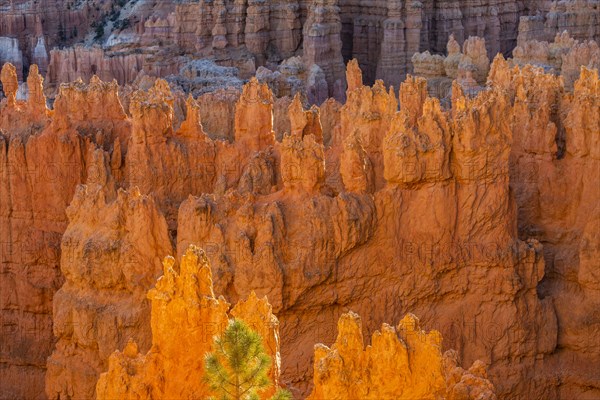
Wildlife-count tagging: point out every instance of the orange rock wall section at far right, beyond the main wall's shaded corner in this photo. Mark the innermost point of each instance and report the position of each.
(559, 147)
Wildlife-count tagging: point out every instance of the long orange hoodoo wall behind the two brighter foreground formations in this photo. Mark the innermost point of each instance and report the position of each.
(424, 209)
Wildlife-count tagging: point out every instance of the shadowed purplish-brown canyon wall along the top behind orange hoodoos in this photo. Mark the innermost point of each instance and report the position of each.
(163, 38)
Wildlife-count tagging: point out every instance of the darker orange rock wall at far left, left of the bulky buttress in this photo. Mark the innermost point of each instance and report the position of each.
(41, 164)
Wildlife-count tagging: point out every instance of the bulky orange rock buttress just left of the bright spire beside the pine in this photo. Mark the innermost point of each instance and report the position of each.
(110, 256)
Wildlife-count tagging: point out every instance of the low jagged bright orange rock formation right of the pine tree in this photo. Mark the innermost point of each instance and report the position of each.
(402, 362)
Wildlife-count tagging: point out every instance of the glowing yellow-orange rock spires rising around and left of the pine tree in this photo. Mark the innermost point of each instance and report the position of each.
(184, 306)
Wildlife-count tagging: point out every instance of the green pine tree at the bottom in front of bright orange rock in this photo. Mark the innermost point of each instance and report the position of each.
(237, 368)
